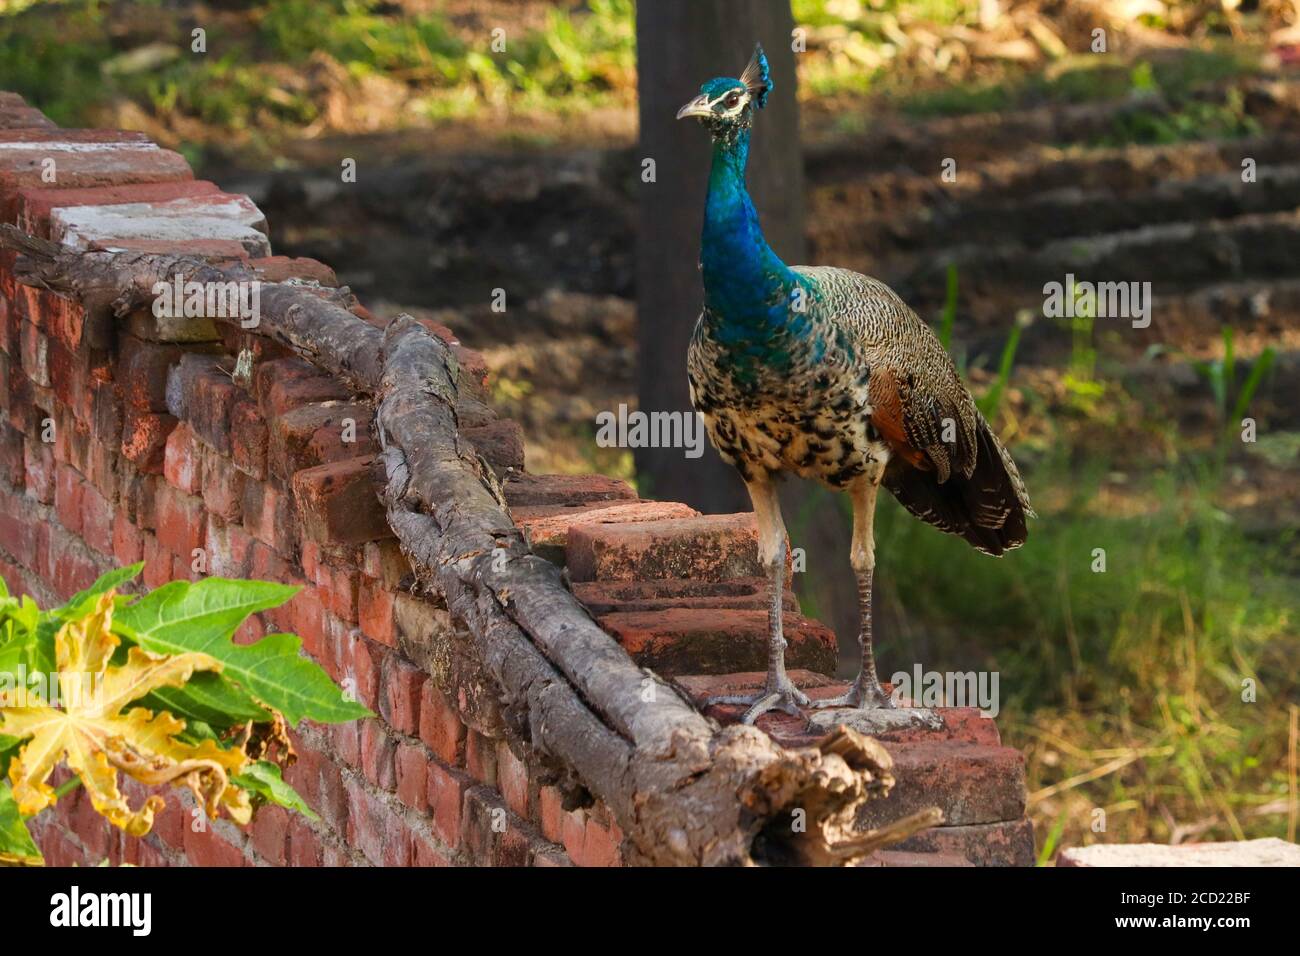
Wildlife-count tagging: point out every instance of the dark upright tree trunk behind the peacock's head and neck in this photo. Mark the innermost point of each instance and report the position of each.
(681, 45)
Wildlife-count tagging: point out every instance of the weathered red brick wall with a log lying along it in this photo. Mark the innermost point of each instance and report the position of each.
(129, 440)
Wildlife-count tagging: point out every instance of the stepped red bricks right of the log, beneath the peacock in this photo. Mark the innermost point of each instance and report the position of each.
(684, 595)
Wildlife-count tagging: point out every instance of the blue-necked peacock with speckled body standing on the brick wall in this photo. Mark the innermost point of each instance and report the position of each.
(829, 375)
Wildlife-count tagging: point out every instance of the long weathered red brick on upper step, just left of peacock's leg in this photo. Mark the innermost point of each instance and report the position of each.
(710, 548)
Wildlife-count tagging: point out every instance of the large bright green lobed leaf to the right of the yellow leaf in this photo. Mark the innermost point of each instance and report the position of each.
(181, 617)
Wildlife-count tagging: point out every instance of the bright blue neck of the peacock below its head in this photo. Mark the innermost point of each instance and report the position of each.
(747, 284)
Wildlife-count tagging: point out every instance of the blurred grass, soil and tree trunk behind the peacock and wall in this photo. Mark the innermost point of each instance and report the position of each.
(1162, 690)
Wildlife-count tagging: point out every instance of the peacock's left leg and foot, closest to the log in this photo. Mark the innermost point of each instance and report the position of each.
(779, 693)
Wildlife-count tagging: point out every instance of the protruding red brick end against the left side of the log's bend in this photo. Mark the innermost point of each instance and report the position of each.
(339, 505)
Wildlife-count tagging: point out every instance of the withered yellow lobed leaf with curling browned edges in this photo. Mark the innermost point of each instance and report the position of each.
(88, 730)
